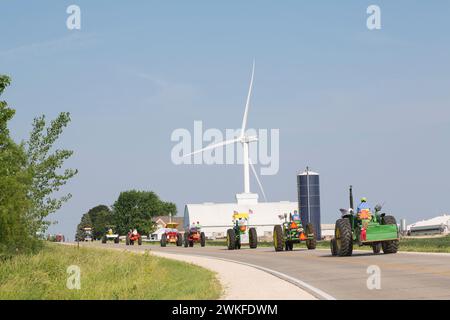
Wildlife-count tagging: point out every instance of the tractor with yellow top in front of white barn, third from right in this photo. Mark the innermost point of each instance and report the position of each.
(241, 233)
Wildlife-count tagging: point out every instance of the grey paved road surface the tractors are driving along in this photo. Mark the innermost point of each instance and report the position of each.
(403, 275)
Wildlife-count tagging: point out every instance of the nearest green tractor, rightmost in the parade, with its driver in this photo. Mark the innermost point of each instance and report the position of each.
(378, 230)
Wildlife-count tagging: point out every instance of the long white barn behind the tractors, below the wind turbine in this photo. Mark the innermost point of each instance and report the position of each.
(216, 218)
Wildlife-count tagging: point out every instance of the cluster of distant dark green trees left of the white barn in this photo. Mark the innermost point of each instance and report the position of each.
(132, 210)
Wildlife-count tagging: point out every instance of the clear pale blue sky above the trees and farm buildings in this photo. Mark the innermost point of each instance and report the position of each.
(368, 108)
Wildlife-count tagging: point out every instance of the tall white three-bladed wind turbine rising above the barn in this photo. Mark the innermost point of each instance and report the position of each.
(245, 140)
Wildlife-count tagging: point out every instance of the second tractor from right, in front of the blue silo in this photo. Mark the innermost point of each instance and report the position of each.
(291, 231)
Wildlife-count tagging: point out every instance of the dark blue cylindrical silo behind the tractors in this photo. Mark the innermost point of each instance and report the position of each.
(309, 199)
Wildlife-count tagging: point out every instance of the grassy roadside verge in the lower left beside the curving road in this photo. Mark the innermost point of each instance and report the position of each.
(105, 274)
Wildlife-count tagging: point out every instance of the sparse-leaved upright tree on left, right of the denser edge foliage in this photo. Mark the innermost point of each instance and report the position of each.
(44, 166)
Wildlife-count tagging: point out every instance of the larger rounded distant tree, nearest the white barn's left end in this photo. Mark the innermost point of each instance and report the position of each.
(135, 209)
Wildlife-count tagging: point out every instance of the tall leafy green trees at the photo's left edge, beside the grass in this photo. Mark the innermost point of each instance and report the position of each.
(30, 172)
